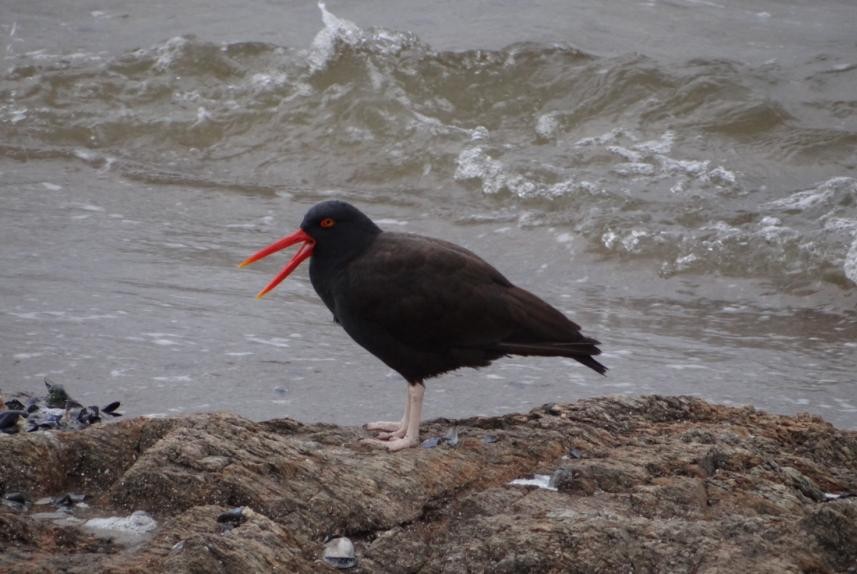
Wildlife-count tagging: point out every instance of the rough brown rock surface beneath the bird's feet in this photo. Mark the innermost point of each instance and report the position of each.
(652, 484)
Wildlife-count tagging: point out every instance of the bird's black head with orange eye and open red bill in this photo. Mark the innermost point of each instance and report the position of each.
(331, 229)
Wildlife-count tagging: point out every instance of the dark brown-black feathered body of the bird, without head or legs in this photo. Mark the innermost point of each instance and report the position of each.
(426, 306)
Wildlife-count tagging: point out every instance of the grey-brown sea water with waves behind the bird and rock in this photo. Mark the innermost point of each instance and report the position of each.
(679, 177)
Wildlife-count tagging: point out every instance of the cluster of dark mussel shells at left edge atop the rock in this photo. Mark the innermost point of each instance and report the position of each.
(55, 411)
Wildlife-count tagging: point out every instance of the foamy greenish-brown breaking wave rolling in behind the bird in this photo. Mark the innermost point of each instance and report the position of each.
(699, 167)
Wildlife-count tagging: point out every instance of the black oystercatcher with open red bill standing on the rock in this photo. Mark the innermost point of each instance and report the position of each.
(424, 306)
